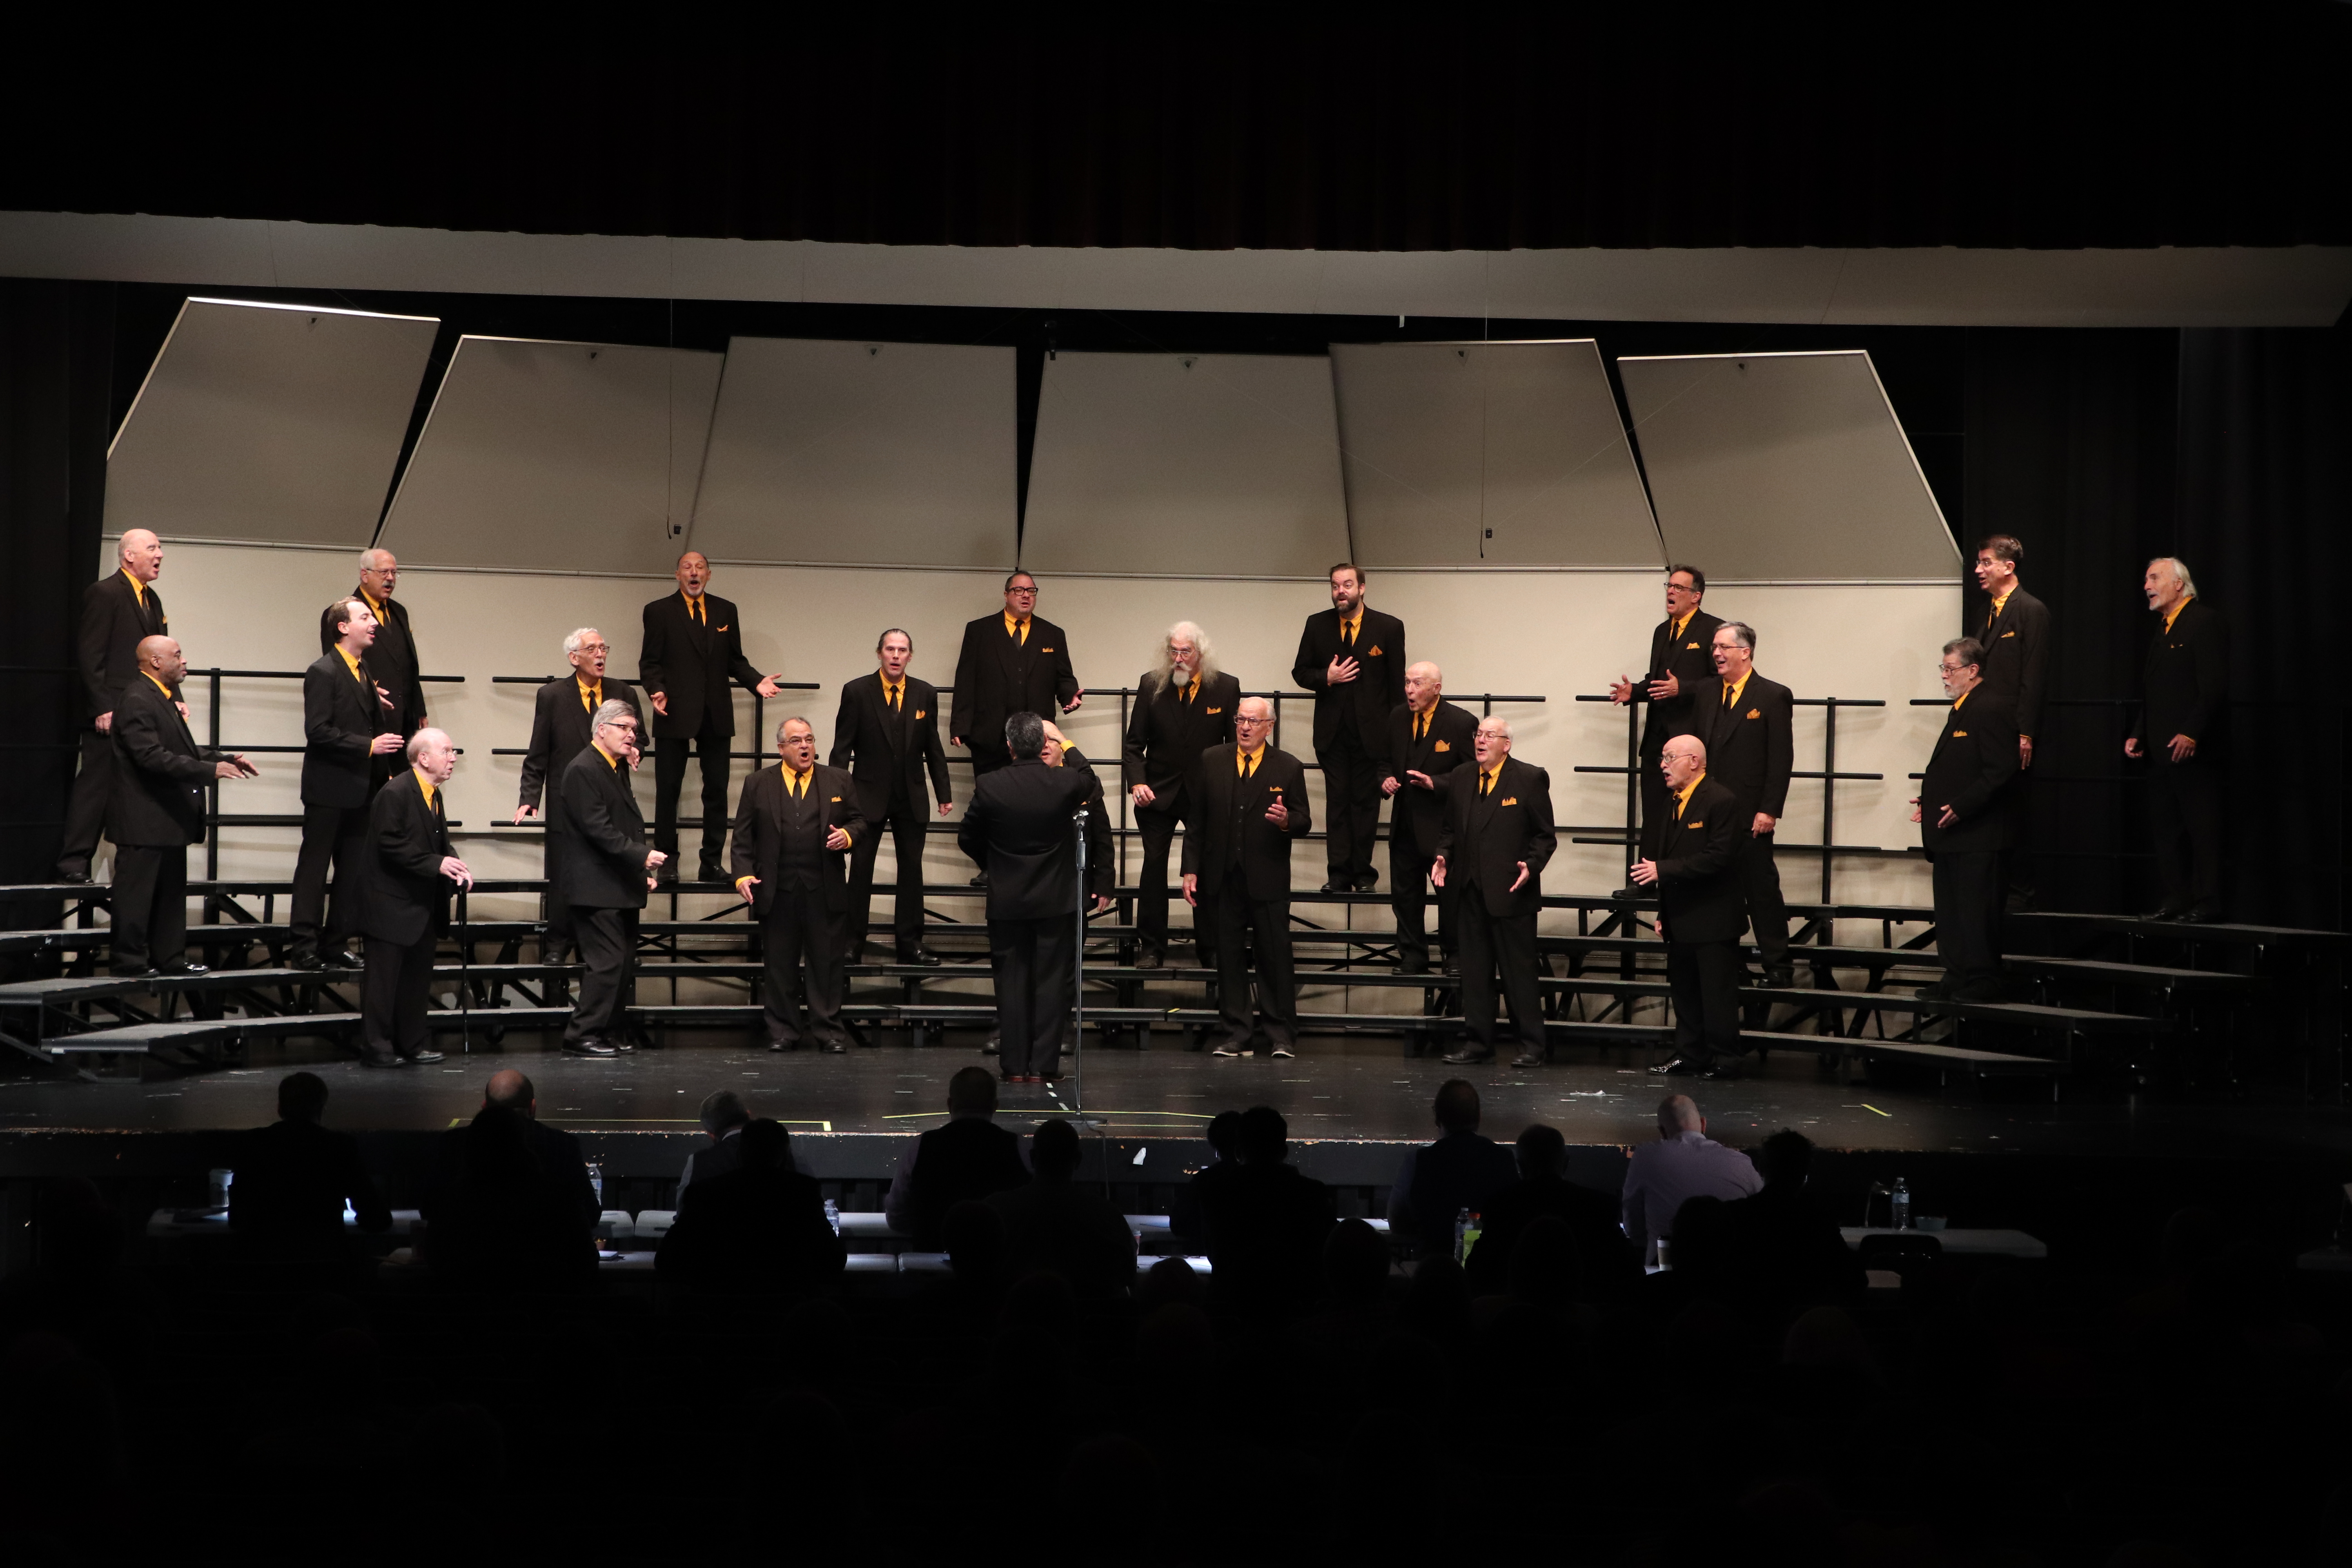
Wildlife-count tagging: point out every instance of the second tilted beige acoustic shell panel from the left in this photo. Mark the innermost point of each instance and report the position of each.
(559, 457)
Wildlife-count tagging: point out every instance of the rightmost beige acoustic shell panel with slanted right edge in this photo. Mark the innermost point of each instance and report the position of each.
(1784, 469)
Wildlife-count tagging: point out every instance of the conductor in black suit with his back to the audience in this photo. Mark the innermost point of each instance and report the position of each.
(1017, 831)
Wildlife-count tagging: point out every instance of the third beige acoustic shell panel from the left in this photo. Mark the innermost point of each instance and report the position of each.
(897, 455)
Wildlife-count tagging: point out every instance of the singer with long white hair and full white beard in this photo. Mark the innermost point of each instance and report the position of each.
(1182, 709)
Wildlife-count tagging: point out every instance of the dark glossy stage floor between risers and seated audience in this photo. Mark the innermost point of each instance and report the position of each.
(1358, 1090)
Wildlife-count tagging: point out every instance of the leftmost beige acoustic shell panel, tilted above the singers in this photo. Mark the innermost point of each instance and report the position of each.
(276, 424)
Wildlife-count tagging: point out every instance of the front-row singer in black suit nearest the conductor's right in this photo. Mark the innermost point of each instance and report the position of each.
(1250, 803)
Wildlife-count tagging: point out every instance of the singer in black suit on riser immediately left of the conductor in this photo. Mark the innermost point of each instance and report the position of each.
(888, 737)
